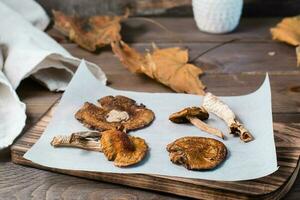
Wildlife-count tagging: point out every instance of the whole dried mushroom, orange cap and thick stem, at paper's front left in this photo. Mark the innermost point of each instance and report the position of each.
(117, 146)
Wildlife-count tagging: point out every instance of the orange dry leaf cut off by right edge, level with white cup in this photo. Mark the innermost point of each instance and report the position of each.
(288, 30)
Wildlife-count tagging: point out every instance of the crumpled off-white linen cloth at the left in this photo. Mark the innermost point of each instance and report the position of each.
(25, 50)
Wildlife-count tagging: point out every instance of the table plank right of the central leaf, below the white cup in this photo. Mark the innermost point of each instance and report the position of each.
(251, 58)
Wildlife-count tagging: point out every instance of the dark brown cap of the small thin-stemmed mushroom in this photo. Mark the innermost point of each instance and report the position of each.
(181, 116)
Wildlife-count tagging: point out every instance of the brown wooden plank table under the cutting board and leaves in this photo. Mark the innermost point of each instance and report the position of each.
(234, 64)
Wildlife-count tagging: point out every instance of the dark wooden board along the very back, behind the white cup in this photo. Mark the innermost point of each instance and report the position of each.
(167, 7)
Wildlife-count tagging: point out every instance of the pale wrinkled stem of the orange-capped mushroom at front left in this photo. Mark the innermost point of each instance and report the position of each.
(84, 140)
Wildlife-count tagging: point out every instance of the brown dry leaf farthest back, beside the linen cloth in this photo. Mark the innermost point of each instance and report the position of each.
(92, 32)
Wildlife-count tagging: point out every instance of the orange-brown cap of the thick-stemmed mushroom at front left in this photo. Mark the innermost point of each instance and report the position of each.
(123, 149)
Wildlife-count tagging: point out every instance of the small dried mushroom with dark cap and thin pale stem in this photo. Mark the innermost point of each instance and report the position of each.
(195, 115)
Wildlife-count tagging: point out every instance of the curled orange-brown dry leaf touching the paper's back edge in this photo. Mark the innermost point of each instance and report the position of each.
(168, 66)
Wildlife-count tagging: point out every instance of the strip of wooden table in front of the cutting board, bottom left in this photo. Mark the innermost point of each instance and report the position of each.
(18, 182)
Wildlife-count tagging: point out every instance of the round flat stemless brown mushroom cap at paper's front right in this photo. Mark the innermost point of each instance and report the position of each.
(197, 153)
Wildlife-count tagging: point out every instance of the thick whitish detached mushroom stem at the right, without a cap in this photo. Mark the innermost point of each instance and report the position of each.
(214, 105)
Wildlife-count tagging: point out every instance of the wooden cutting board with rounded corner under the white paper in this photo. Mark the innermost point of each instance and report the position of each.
(274, 186)
